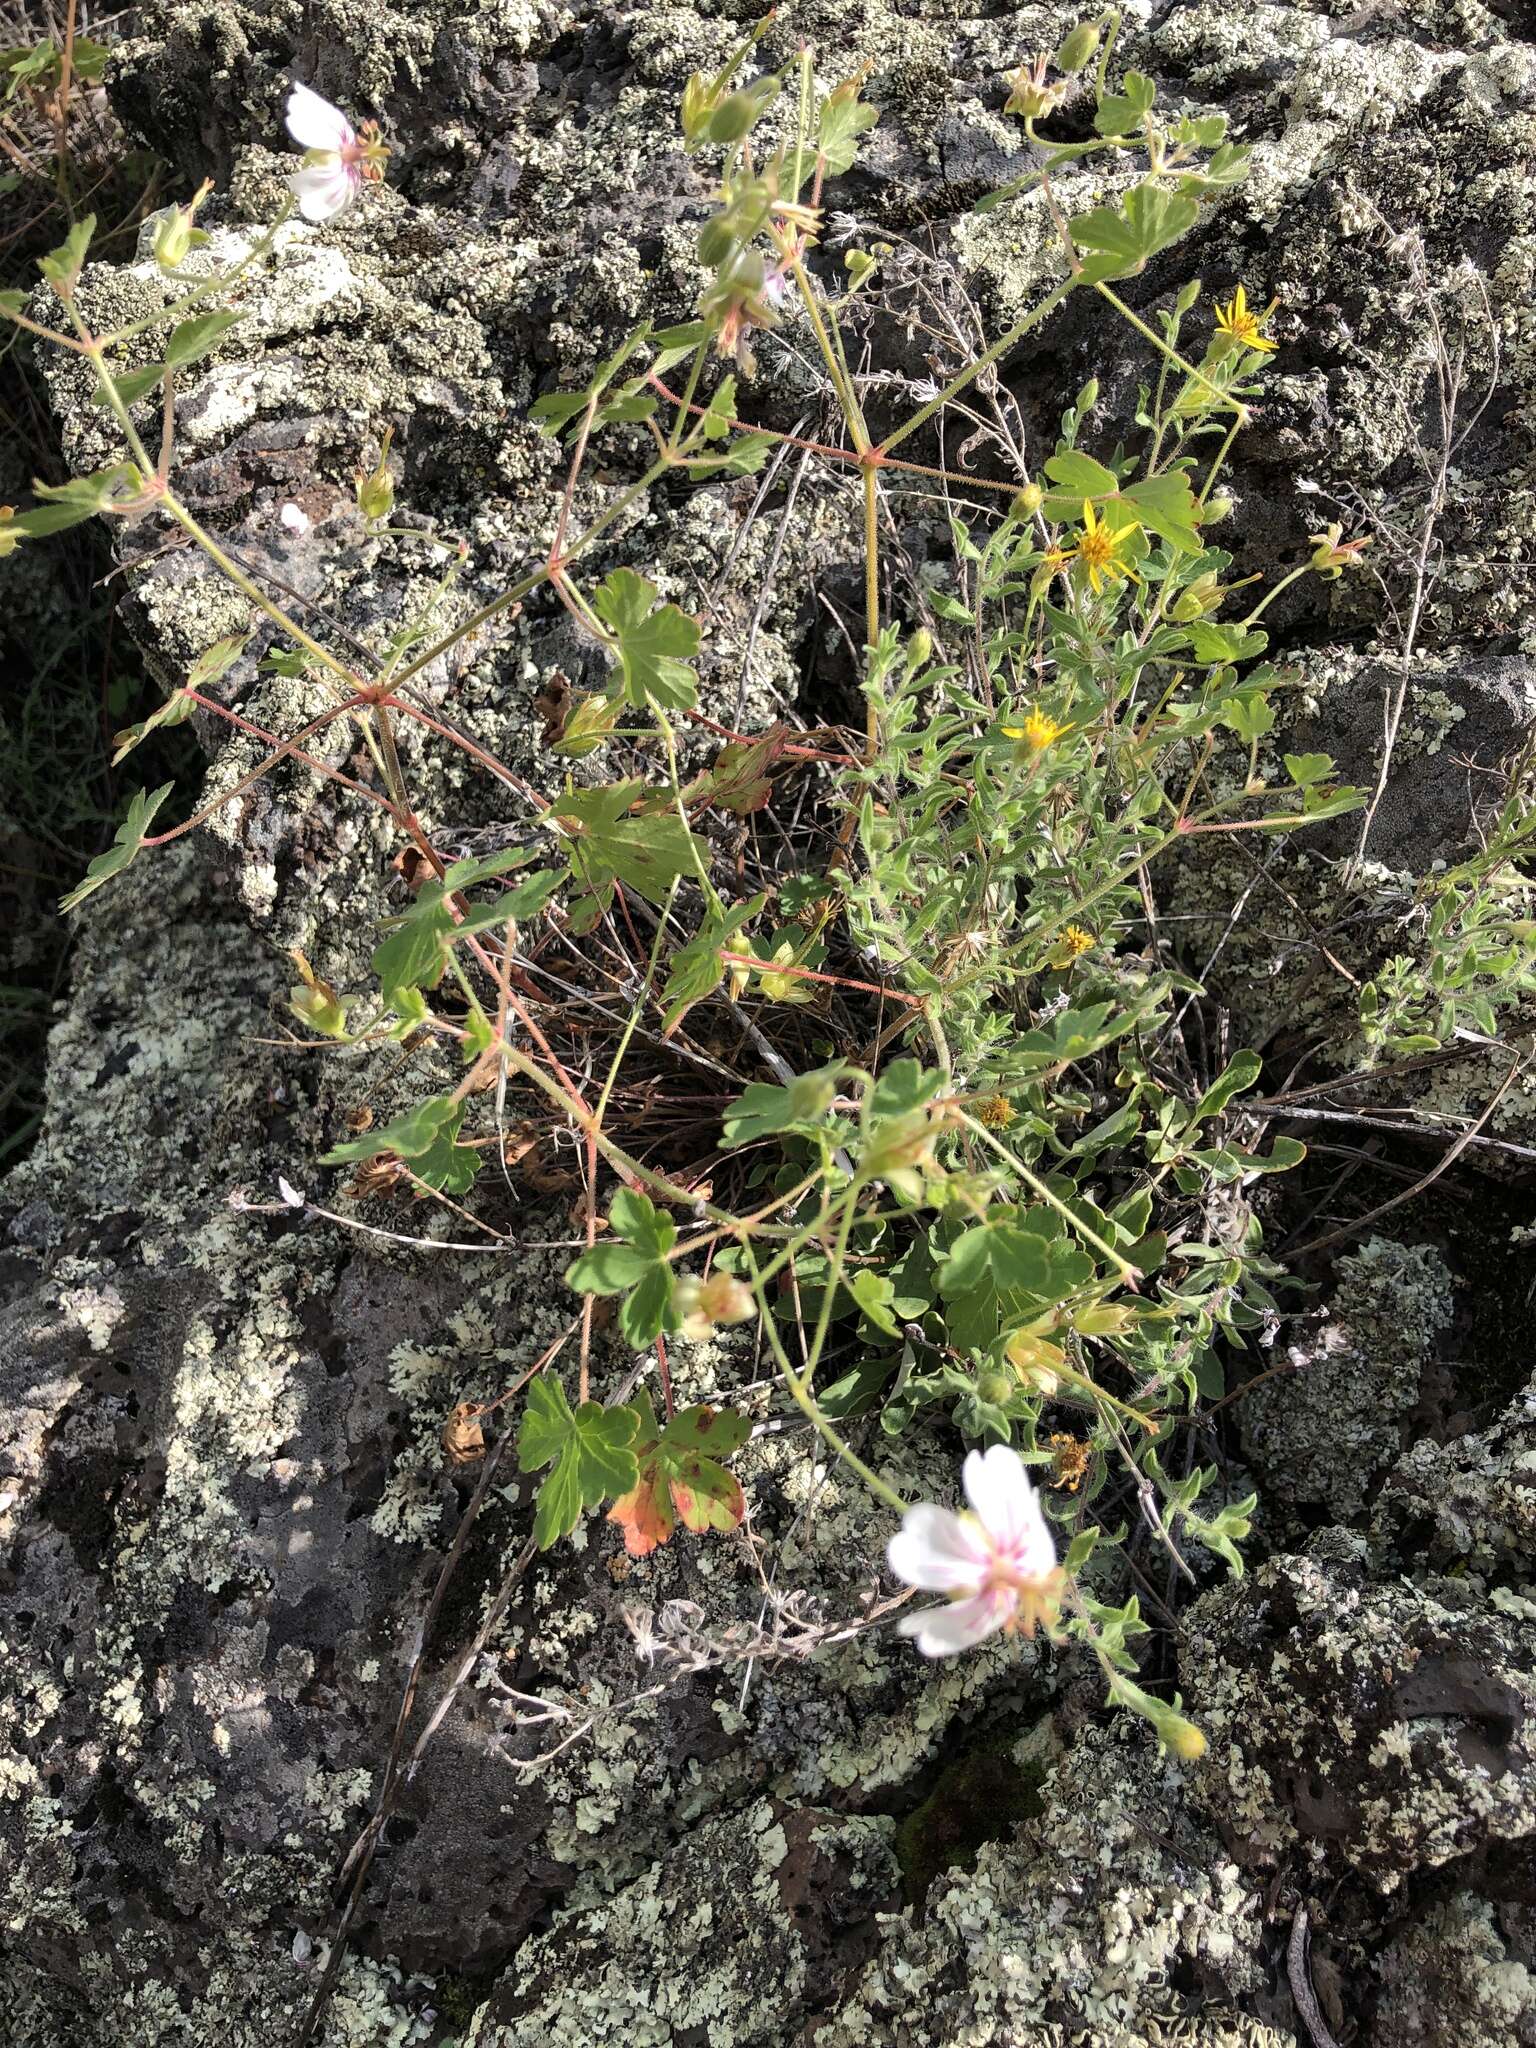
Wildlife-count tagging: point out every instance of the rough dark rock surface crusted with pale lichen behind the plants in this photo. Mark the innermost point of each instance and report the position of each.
(220, 1471)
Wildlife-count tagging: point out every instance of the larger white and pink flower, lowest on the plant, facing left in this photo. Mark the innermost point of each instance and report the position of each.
(996, 1564)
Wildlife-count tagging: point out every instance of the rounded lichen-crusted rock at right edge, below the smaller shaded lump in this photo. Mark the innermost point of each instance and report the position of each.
(1361, 1719)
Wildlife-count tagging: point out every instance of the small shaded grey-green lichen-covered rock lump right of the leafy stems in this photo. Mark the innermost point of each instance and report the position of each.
(1322, 1431)
